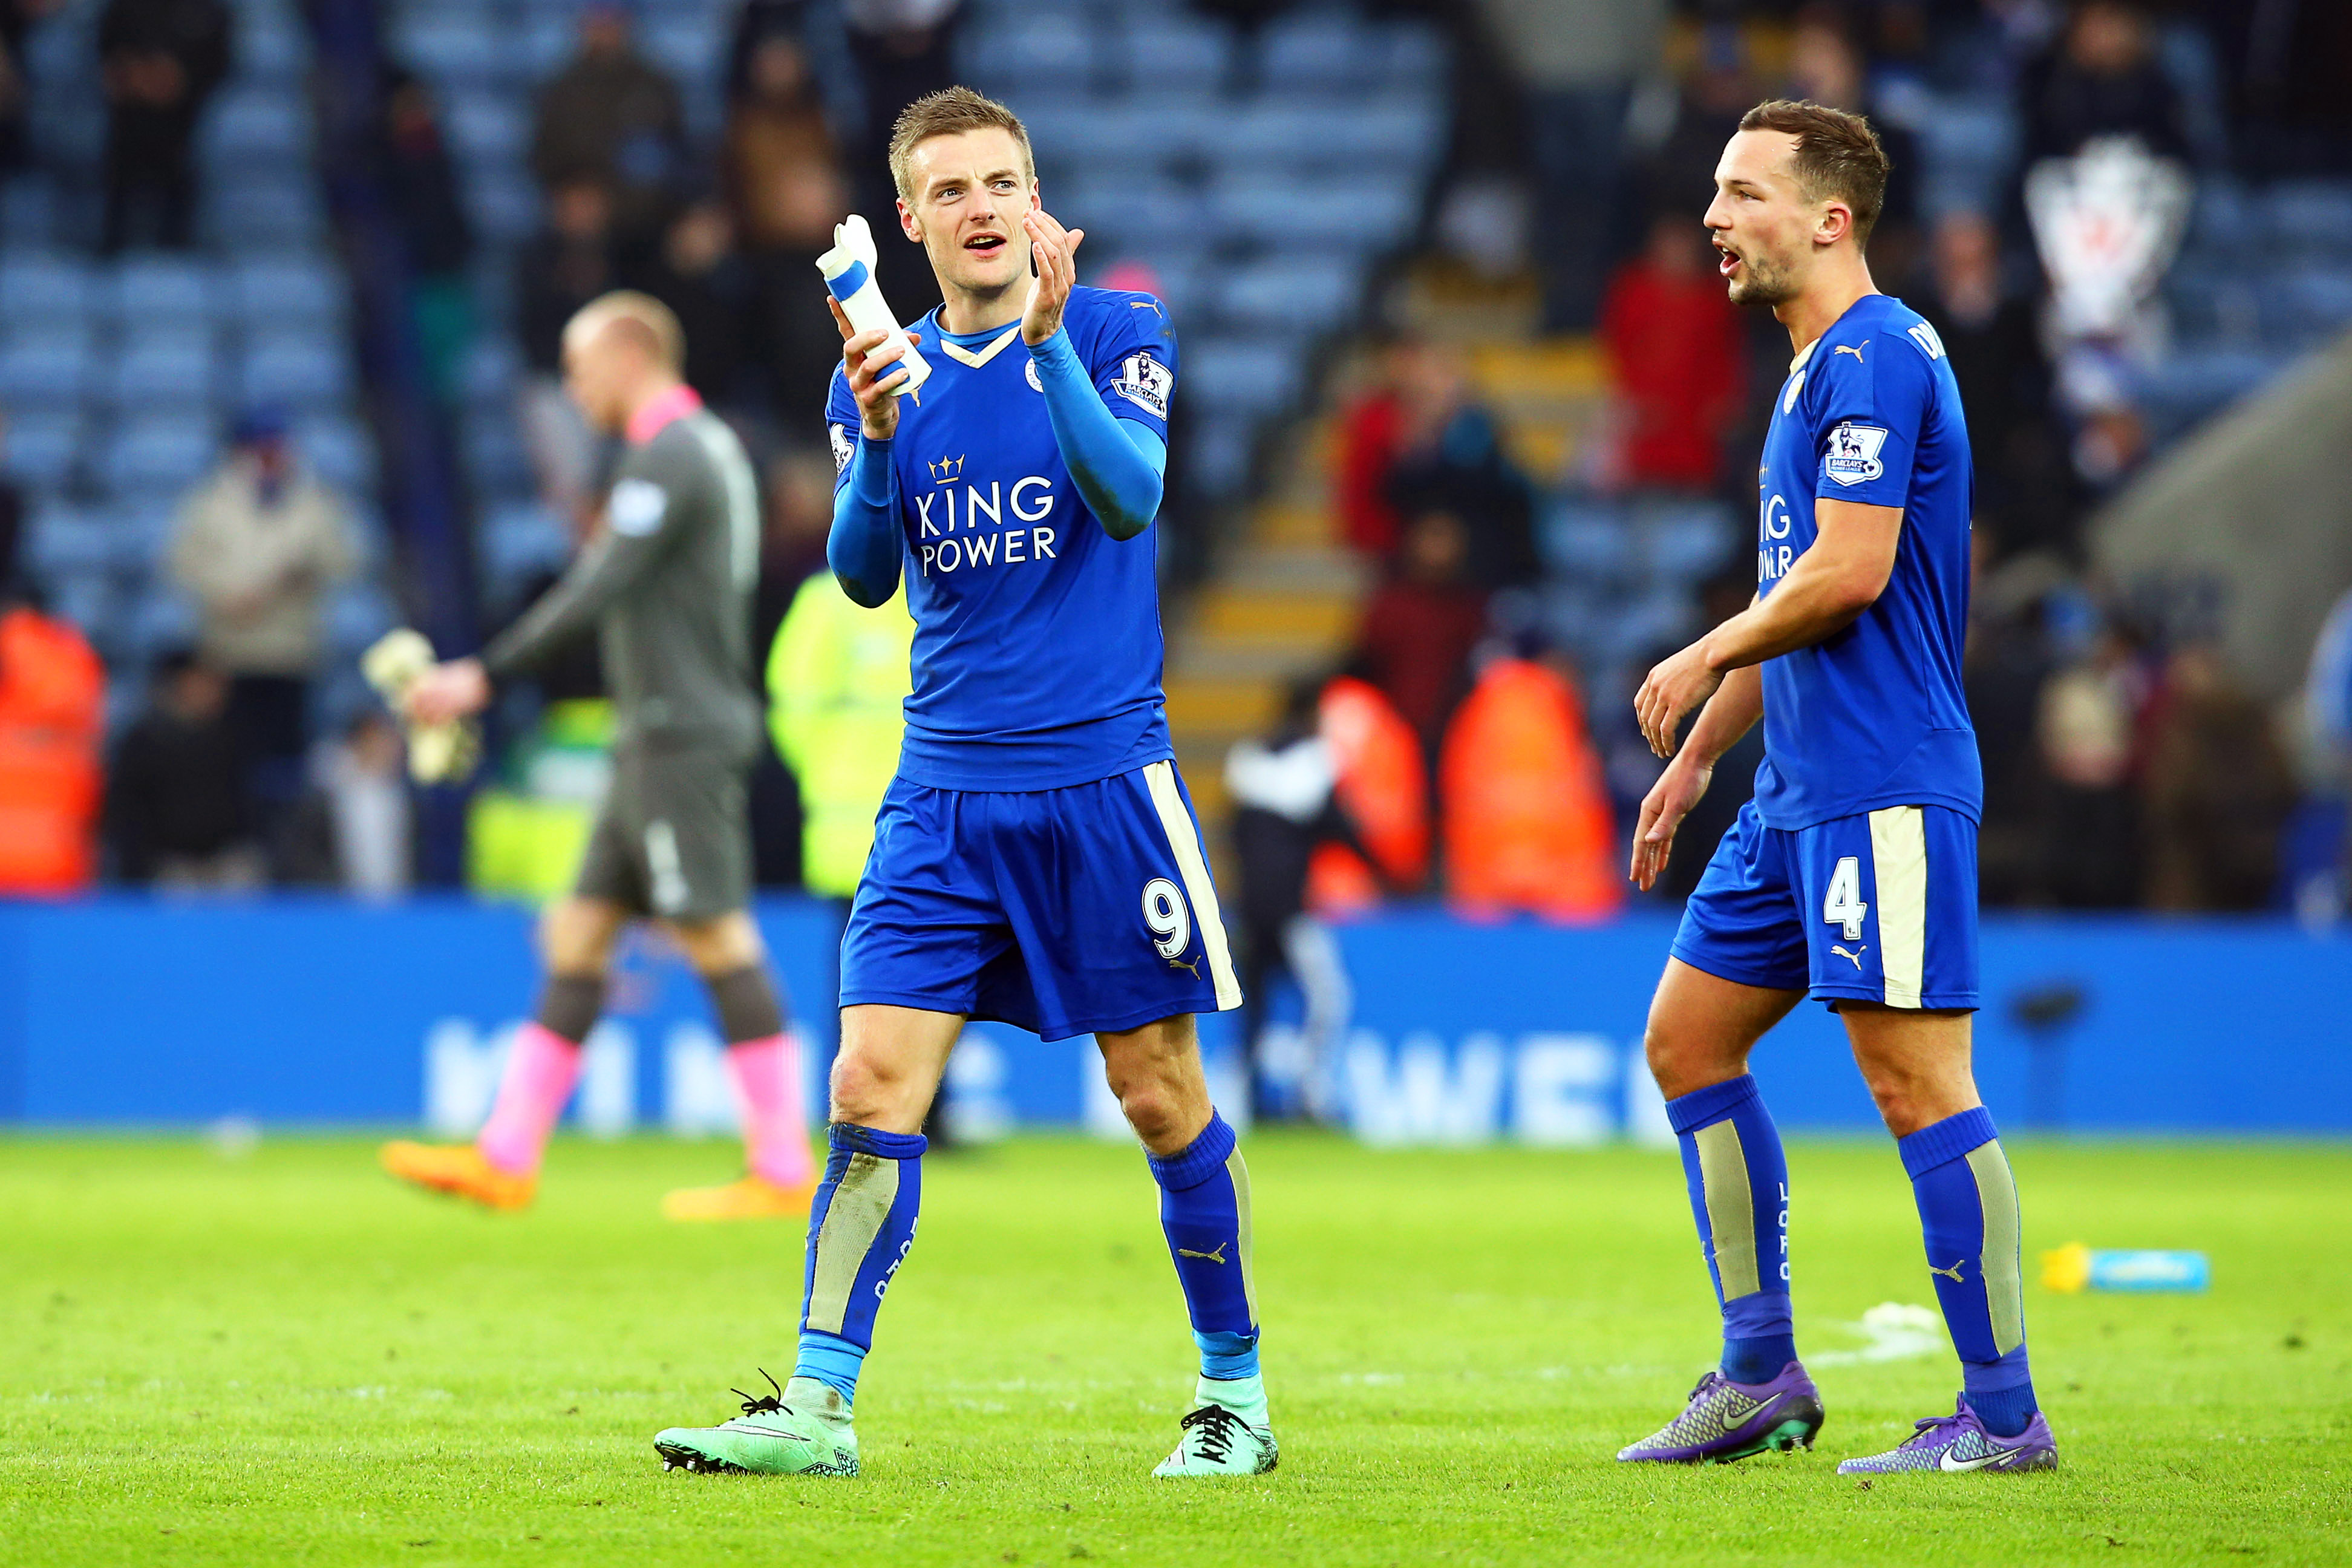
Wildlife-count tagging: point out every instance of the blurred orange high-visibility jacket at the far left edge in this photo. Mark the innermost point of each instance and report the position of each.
(53, 721)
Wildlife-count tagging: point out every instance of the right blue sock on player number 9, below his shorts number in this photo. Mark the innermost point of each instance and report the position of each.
(1205, 1214)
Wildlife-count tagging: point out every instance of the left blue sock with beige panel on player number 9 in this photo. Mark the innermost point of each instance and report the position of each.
(860, 1233)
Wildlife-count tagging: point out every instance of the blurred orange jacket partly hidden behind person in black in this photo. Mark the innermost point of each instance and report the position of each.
(1384, 791)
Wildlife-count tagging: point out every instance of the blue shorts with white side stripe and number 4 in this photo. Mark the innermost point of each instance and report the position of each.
(1859, 909)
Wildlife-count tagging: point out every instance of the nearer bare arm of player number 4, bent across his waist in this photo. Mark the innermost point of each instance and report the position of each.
(1831, 584)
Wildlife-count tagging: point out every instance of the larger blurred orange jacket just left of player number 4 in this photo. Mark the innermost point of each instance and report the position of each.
(1525, 803)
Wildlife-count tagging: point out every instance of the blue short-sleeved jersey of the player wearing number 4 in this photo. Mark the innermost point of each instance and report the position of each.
(1873, 716)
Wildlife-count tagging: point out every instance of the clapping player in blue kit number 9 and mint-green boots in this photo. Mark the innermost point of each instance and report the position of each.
(1036, 862)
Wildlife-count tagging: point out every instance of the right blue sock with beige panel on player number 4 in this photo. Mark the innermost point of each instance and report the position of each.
(1970, 1217)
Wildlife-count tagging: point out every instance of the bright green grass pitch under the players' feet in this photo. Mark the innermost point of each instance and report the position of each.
(288, 1360)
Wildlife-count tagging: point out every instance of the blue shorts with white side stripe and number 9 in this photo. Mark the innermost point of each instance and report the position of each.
(1081, 911)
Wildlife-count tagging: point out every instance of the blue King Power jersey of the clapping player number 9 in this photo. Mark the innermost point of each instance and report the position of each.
(1038, 645)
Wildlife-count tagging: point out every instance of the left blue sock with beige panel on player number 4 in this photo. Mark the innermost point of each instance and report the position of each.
(1739, 1195)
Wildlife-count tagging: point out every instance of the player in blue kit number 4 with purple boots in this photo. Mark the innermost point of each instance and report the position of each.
(1852, 873)
